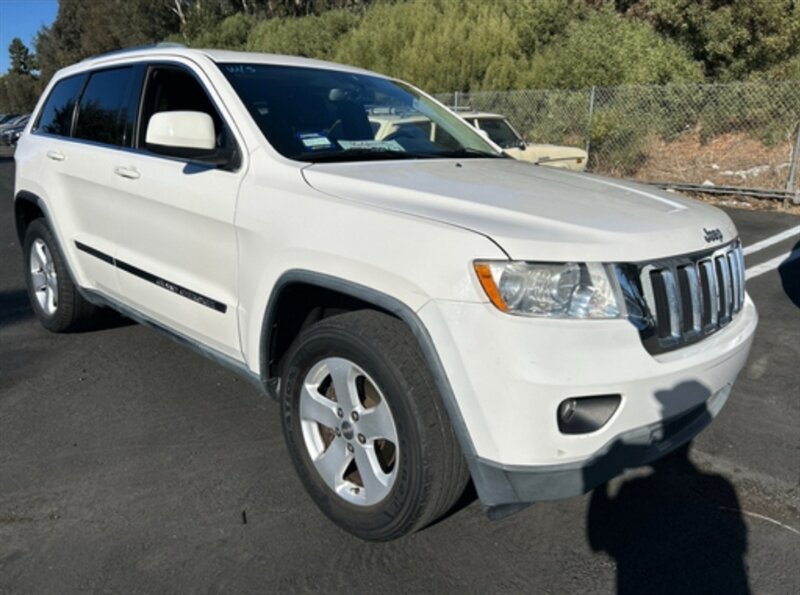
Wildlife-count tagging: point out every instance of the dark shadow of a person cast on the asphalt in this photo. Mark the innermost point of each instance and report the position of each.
(677, 530)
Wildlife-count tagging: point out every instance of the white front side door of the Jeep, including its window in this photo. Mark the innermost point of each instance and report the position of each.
(176, 258)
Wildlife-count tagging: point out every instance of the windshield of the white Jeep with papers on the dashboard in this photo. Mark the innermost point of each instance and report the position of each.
(319, 115)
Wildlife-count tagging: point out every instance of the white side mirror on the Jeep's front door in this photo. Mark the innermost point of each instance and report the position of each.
(181, 133)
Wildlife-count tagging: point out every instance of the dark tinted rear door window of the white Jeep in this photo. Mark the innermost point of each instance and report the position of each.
(104, 106)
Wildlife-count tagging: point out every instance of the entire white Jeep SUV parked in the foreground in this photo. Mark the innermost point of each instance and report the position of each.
(424, 312)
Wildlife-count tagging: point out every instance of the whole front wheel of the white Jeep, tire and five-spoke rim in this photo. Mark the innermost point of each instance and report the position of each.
(366, 429)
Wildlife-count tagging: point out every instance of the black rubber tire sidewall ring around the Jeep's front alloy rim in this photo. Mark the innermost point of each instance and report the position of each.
(395, 510)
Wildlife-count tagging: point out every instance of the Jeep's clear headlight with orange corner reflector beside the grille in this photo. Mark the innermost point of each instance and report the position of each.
(563, 290)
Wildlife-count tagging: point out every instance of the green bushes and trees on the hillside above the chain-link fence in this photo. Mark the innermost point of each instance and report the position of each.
(443, 45)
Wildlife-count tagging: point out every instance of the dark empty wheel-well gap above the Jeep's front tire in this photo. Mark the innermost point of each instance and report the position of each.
(297, 306)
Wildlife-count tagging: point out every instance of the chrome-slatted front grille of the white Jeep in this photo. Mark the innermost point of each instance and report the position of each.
(677, 301)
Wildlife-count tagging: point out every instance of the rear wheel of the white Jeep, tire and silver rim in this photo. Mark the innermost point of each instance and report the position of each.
(55, 299)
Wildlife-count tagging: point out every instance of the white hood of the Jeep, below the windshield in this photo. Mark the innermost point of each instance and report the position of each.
(532, 212)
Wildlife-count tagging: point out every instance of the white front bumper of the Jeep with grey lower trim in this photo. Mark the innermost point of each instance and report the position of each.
(509, 374)
